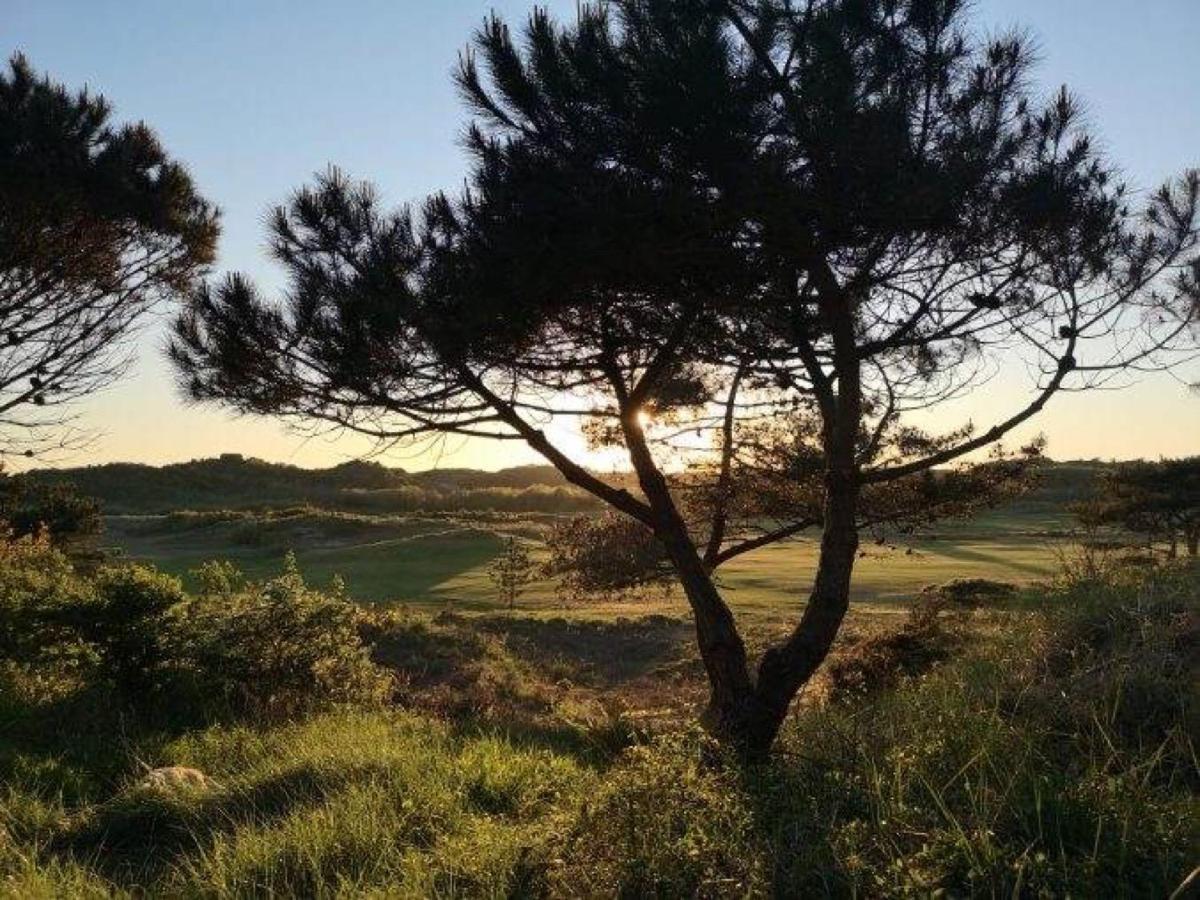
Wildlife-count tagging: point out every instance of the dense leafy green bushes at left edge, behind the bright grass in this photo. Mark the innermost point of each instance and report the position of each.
(267, 650)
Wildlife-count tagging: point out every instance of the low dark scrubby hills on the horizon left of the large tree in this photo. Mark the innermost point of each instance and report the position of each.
(241, 483)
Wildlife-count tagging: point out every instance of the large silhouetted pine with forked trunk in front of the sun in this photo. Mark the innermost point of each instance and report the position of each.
(709, 231)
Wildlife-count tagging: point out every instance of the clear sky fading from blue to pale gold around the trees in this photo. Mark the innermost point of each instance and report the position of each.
(257, 95)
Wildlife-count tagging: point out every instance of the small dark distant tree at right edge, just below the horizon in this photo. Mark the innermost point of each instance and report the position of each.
(1159, 500)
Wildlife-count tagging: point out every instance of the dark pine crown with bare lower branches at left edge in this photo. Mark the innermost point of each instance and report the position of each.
(97, 226)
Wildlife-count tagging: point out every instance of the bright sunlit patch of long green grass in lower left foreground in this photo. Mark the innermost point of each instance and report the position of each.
(335, 806)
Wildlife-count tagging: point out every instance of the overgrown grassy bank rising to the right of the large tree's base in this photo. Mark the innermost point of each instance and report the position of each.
(1053, 759)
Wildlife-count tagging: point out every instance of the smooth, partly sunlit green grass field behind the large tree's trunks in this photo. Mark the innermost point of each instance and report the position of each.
(440, 562)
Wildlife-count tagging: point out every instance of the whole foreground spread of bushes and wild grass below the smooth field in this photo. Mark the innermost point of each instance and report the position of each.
(1042, 745)
